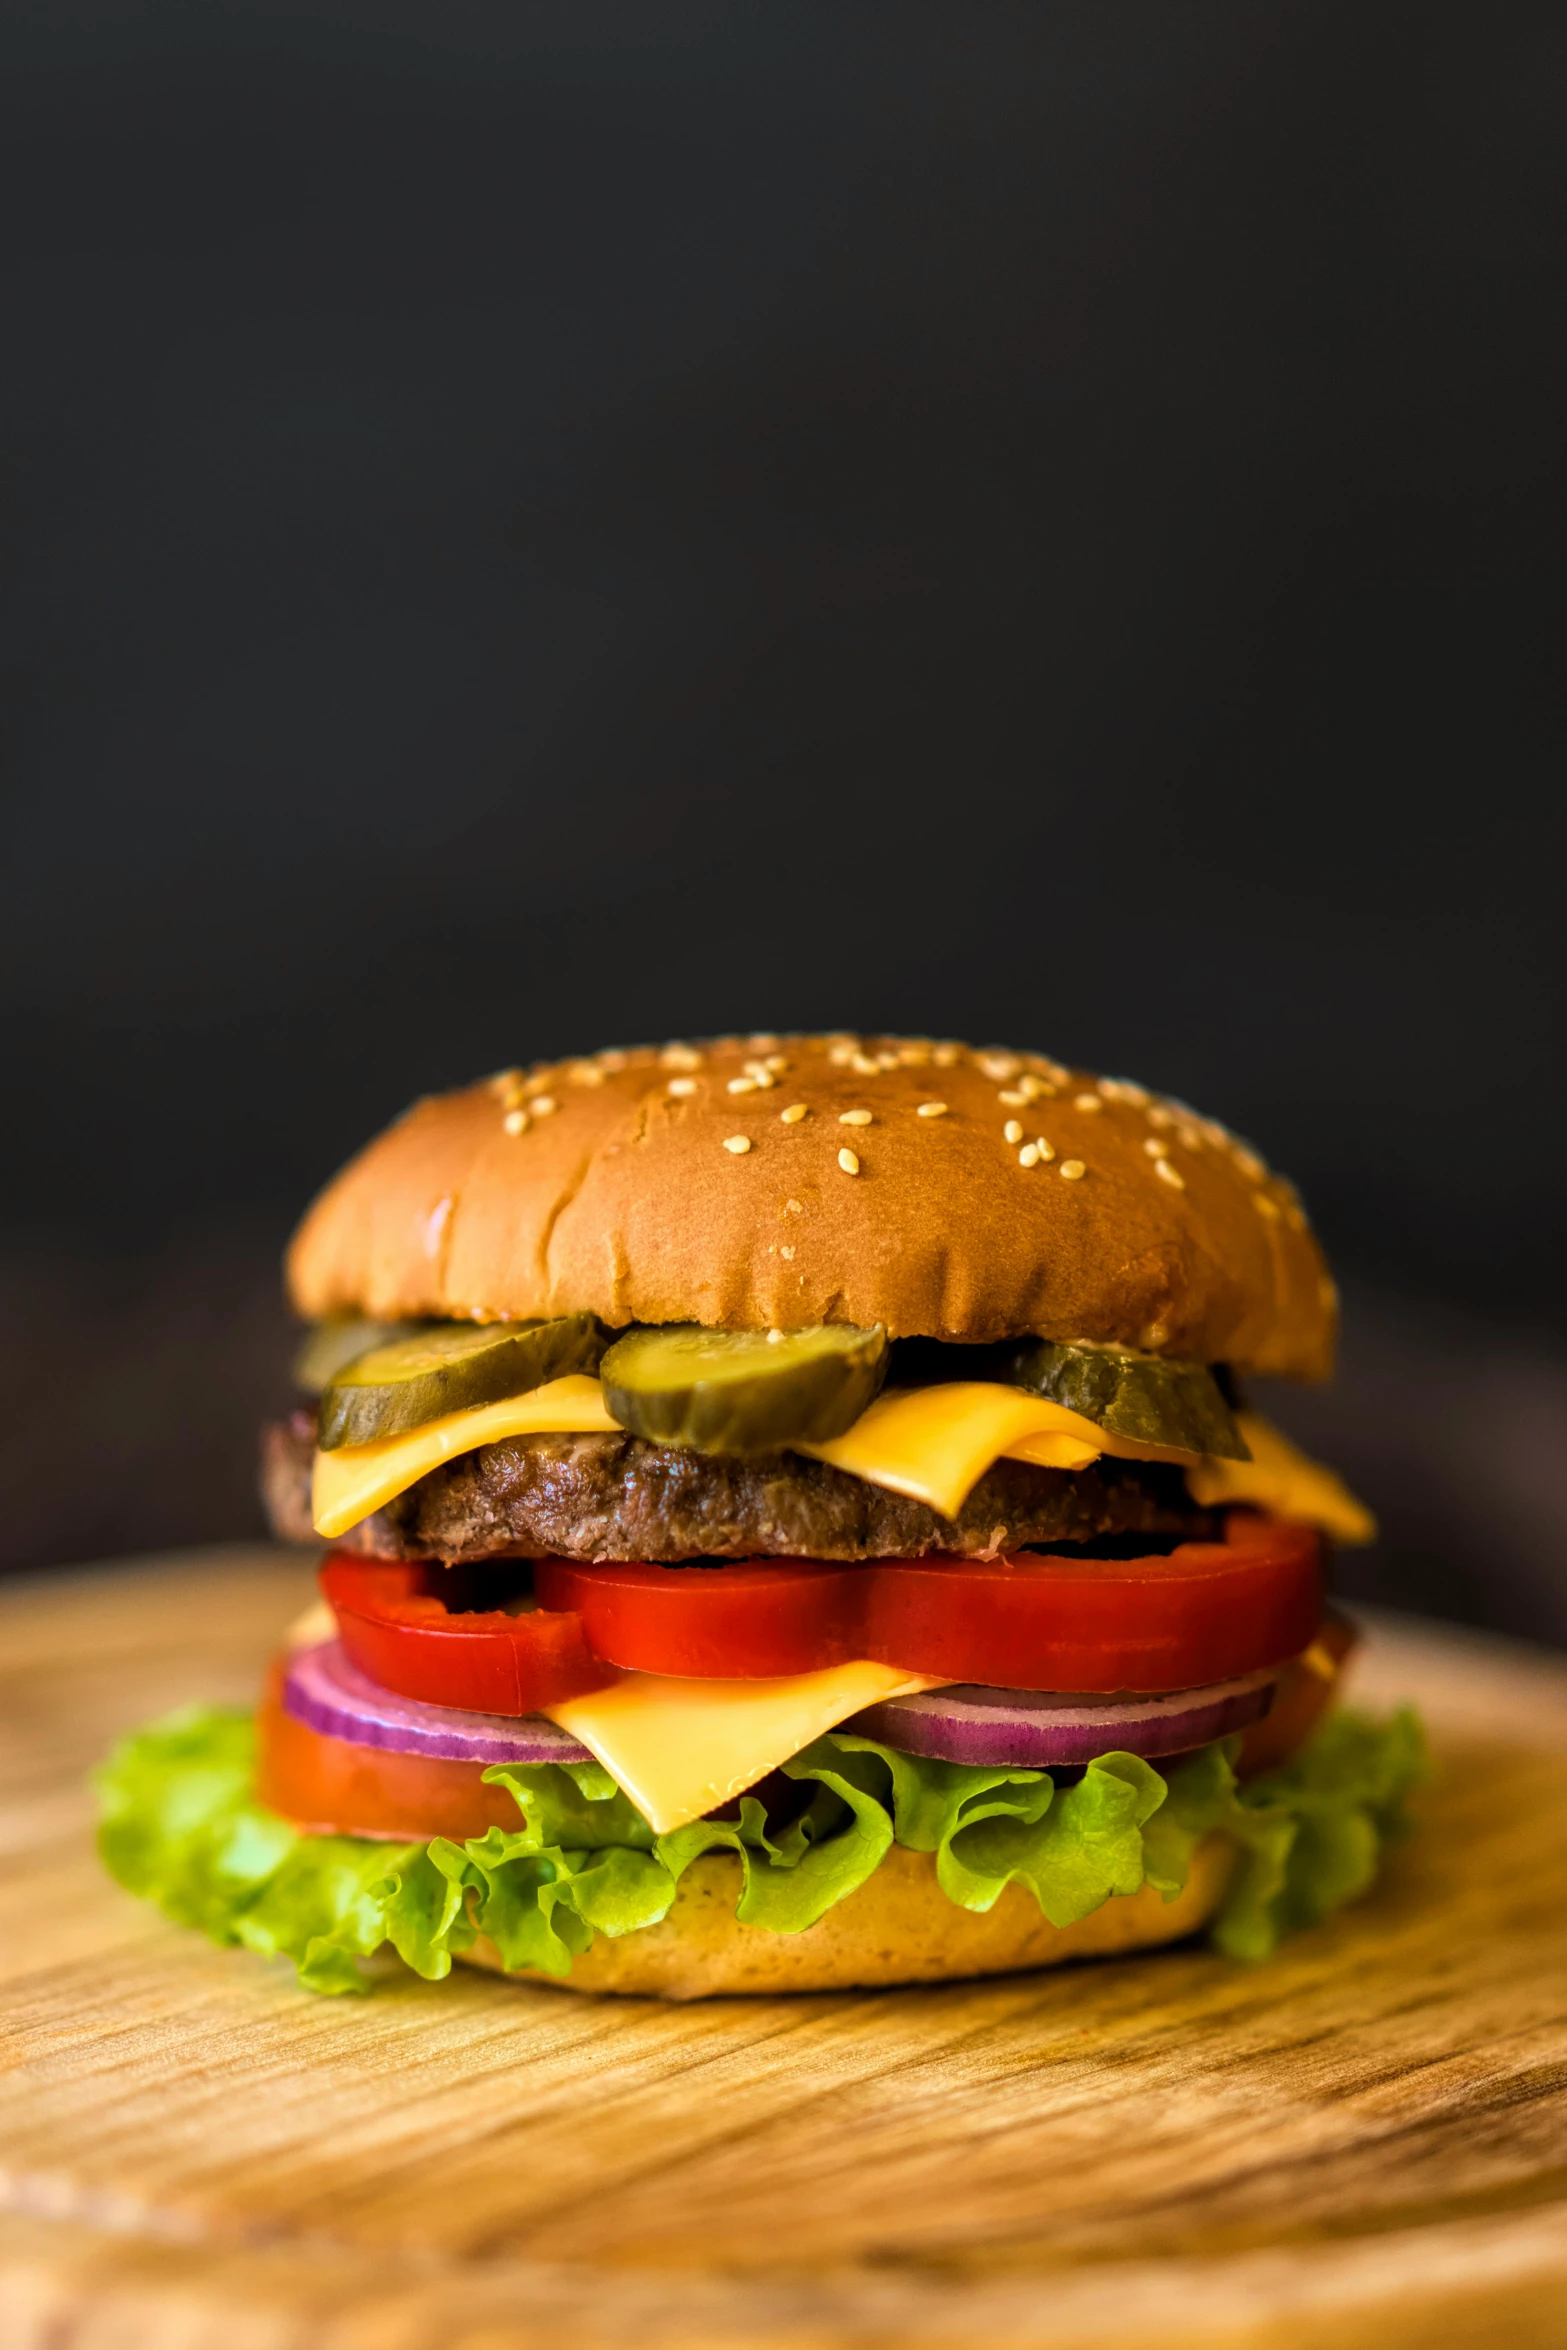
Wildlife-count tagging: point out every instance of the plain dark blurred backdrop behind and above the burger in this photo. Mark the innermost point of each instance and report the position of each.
(527, 530)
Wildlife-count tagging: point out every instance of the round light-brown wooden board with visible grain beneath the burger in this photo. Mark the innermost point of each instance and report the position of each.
(1361, 2144)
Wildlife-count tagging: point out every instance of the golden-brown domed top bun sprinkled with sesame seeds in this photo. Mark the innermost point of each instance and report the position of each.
(607, 1186)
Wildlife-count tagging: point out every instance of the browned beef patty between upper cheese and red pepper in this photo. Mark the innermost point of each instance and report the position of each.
(624, 1498)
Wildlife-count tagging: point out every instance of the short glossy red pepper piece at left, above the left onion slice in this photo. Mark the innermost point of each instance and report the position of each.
(403, 1637)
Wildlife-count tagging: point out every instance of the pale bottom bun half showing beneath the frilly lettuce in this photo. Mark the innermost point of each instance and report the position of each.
(899, 1928)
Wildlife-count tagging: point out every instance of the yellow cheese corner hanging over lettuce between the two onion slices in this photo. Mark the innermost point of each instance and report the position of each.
(685, 1747)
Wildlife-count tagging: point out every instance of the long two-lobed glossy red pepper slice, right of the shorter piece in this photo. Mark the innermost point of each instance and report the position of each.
(1030, 1620)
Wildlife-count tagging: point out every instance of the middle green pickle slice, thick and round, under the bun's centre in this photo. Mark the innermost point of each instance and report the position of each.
(744, 1390)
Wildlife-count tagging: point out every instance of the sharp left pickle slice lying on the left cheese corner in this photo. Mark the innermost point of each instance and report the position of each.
(448, 1369)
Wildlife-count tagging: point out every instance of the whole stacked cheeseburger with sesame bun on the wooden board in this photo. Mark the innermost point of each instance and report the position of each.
(793, 1519)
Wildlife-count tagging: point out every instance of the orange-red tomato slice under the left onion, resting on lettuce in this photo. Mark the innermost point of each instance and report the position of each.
(337, 1790)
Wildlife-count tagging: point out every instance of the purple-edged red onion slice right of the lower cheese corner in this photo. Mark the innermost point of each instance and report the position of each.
(1037, 1728)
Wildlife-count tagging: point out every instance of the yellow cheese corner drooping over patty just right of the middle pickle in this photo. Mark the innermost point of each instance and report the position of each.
(939, 1442)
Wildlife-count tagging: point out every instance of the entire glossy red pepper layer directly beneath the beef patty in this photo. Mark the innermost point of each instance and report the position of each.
(1030, 1620)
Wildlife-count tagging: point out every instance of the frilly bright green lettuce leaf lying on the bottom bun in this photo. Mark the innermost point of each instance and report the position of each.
(182, 1827)
